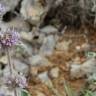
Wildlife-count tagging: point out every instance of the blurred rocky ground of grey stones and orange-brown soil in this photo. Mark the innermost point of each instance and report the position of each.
(48, 57)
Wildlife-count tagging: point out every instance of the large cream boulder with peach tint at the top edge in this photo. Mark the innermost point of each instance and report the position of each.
(31, 10)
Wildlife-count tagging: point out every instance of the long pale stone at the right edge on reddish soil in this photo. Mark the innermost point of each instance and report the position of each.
(80, 70)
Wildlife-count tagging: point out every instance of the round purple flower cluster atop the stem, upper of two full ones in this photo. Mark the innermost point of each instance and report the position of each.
(9, 38)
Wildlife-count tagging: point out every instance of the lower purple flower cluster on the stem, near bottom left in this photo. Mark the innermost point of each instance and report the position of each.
(18, 80)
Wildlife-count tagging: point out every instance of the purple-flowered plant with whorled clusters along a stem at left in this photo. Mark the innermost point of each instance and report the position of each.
(9, 39)
